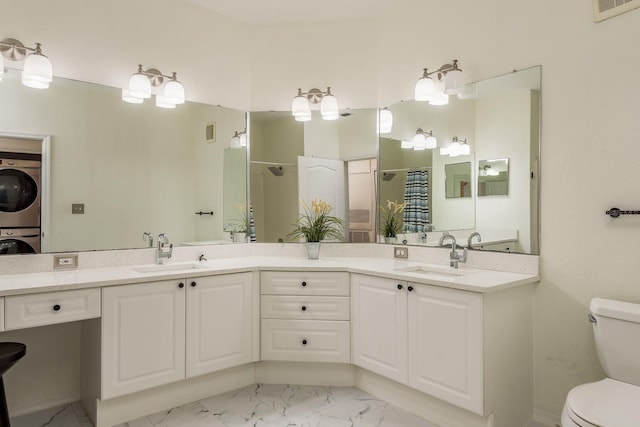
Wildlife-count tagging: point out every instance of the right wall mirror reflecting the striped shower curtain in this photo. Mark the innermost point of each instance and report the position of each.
(499, 119)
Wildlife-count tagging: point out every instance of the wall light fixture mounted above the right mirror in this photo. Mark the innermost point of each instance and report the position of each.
(436, 86)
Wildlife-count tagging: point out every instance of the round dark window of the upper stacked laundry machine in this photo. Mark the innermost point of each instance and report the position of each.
(18, 190)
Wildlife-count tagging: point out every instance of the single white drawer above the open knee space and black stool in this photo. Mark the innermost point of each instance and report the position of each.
(26, 311)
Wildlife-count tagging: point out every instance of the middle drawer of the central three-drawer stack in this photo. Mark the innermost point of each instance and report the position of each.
(304, 308)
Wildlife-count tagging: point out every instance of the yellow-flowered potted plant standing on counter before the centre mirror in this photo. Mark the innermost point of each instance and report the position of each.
(315, 224)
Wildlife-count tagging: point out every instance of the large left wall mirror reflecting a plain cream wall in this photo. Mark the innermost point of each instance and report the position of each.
(134, 168)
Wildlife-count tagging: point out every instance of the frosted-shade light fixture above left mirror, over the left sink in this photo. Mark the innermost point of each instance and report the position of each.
(142, 82)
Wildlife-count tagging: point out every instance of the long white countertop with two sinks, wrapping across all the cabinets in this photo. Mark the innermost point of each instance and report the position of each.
(469, 279)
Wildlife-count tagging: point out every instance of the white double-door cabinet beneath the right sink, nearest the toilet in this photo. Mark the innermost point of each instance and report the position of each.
(427, 337)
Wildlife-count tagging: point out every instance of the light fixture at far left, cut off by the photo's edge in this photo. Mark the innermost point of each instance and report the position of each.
(36, 72)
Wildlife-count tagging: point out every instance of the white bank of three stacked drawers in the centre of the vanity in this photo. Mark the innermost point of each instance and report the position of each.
(305, 316)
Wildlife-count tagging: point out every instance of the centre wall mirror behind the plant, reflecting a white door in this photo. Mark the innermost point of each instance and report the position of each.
(295, 161)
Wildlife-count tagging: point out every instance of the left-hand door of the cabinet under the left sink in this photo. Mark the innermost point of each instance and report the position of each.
(142, 336)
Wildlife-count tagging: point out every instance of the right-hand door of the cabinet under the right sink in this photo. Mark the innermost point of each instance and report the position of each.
(445, 345)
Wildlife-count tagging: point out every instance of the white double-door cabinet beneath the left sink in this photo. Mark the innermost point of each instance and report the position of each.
(159, 332)
